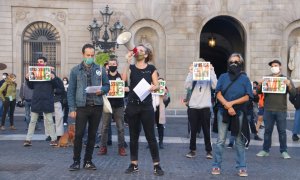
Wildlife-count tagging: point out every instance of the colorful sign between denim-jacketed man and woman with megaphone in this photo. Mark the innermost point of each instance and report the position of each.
(116, 89)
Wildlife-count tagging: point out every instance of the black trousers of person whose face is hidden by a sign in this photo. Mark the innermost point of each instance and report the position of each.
(200, 118)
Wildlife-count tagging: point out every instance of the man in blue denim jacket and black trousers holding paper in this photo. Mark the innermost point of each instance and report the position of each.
(86, 107)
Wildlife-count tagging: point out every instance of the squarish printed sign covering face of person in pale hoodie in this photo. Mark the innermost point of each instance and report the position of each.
(201, 71)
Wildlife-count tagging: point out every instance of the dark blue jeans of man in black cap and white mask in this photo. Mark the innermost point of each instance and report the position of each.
(270, 117)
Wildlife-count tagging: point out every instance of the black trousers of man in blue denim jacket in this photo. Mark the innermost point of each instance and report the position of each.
(86, 115)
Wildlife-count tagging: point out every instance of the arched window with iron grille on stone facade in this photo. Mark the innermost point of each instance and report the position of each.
(41, 39)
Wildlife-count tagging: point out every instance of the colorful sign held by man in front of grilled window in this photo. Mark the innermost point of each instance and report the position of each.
(39, 73)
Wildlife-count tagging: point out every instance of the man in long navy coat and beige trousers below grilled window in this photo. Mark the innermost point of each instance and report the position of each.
(42, 102)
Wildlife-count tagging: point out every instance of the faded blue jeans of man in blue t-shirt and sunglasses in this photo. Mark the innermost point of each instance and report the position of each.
(219, 147)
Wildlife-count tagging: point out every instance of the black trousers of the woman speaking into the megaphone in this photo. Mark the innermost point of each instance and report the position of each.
(141, 114)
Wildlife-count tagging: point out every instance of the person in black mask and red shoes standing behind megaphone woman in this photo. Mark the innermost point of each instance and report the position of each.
(117, 105)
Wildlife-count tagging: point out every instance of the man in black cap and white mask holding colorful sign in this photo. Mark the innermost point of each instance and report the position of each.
(275, 108)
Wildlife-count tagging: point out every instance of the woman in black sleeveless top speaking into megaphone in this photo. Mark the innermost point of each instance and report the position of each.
(139, 109)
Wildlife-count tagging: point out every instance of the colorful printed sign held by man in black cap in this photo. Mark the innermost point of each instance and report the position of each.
(274, 85)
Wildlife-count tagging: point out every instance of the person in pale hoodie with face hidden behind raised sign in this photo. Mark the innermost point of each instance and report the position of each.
(199, 108)
